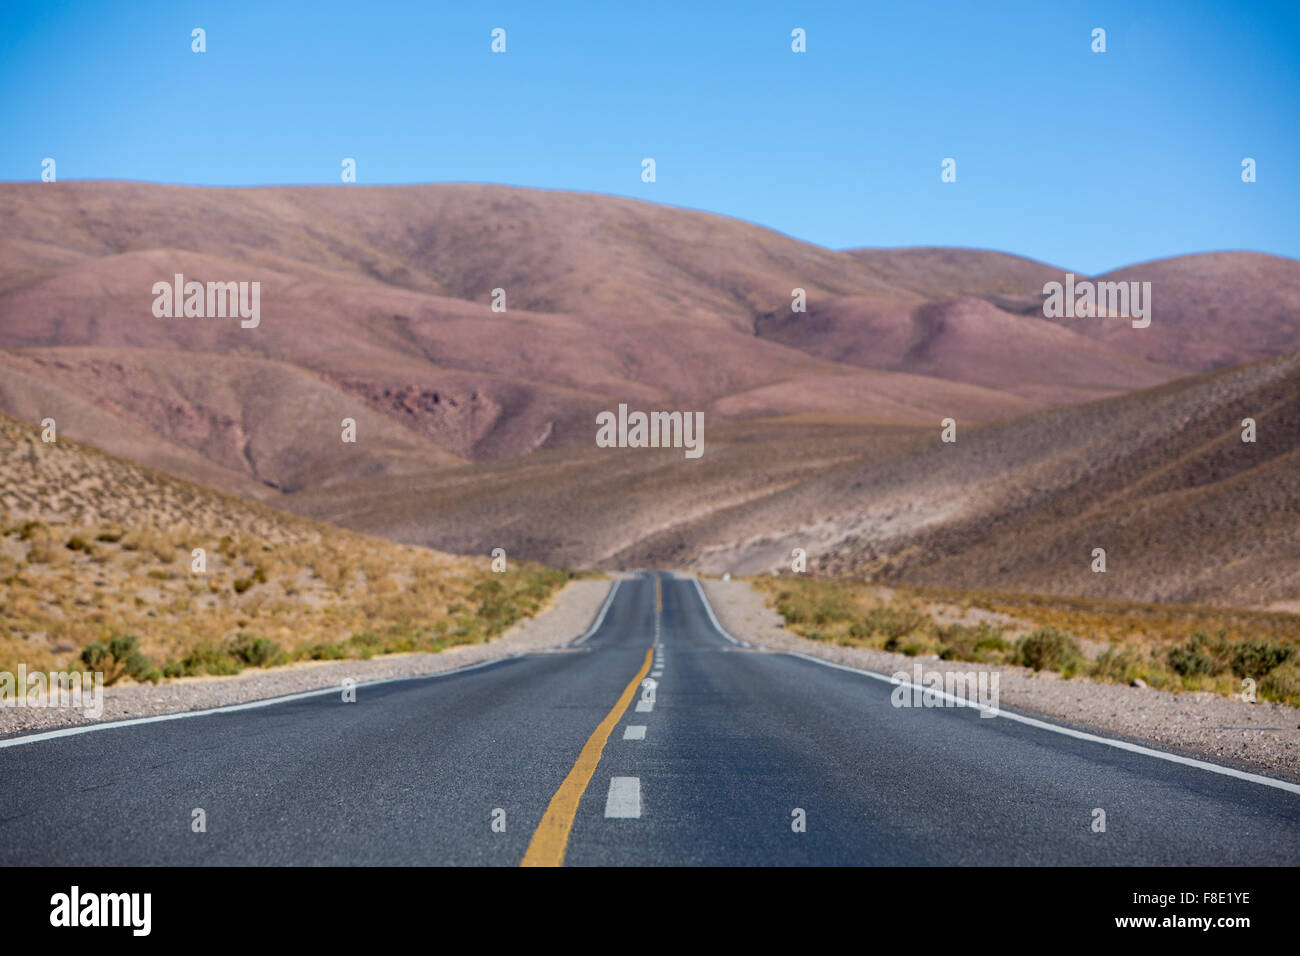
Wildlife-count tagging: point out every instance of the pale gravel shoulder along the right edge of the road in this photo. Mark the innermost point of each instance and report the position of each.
(1251, 737)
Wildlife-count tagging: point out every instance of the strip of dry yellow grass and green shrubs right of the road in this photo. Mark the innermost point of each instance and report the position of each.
(1171, 647)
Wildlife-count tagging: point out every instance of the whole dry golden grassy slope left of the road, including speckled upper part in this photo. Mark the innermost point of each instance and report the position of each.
(94, 548)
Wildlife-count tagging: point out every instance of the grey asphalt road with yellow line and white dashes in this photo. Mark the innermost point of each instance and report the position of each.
(531, 760)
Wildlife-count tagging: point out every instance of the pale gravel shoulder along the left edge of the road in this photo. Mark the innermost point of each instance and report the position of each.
(569, 616)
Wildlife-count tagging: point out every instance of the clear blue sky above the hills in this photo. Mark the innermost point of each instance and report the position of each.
(1085, 161)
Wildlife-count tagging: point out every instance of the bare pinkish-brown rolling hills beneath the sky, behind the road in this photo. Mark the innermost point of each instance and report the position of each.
(475, 426)
